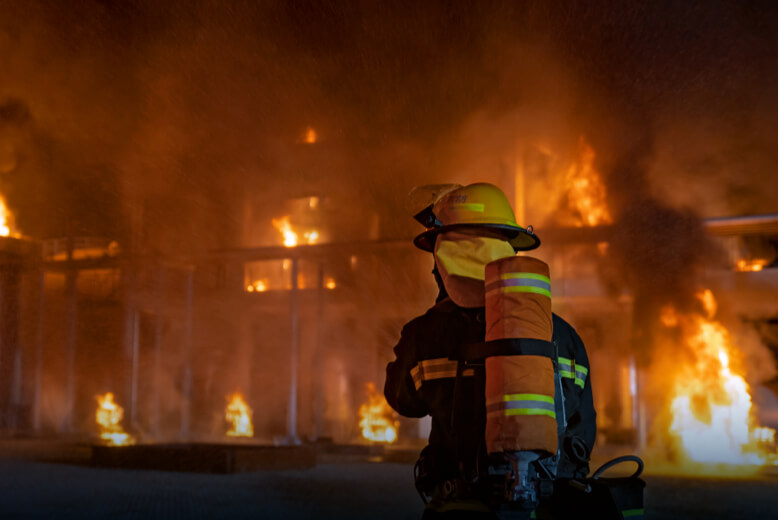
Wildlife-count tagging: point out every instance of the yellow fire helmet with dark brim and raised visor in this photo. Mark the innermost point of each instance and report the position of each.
(481, 209)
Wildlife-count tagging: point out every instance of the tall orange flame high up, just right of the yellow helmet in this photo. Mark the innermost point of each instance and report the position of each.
(586, 190)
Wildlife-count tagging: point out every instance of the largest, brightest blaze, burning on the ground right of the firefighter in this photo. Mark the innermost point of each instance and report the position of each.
(713, 421)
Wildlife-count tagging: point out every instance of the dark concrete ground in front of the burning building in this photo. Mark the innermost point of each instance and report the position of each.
(336, 488)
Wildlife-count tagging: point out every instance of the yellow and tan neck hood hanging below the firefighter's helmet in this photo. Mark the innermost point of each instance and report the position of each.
(461, 260)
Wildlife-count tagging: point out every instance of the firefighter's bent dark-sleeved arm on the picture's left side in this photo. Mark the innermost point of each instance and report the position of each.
(399, 389)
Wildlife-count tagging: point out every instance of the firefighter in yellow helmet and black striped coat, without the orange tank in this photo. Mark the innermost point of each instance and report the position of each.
(467, 228)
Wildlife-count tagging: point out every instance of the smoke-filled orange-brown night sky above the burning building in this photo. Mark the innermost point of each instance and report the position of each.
(187, 106)
